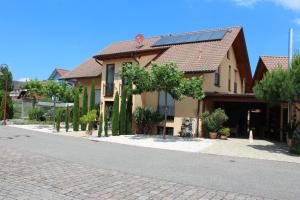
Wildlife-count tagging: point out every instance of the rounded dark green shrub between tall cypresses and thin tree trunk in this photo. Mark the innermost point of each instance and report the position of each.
(146, 118)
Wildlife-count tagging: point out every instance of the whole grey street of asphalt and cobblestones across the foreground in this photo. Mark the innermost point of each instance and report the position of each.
(46, 166)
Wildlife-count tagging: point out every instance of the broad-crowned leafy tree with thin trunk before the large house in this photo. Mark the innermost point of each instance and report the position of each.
(163, 77)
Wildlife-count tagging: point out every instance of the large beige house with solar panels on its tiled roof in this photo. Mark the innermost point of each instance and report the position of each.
(220, 56)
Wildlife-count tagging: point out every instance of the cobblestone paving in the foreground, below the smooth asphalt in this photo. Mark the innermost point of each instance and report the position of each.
(32, 176)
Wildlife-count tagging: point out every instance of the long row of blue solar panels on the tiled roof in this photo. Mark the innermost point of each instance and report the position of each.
(189, 38)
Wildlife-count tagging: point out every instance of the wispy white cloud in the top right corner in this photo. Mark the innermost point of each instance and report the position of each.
(288, 4)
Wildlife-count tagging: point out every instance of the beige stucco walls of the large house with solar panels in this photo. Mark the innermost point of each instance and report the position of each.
(186, 108)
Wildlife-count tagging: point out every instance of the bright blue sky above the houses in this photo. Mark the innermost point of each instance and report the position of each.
(38, 35)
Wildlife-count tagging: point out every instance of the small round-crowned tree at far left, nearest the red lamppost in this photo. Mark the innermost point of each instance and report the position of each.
(34, 88)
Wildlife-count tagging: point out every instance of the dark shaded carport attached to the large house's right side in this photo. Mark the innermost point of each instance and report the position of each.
(247, 113)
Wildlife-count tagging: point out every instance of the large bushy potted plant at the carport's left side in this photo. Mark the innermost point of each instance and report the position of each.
(213, 121)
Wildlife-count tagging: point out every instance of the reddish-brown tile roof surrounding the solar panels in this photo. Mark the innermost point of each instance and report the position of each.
(189, 57)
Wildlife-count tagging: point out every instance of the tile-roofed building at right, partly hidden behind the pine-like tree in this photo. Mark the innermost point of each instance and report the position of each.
(276, 115)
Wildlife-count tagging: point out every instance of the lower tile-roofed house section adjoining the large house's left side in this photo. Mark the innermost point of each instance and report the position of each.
(84, 74)
